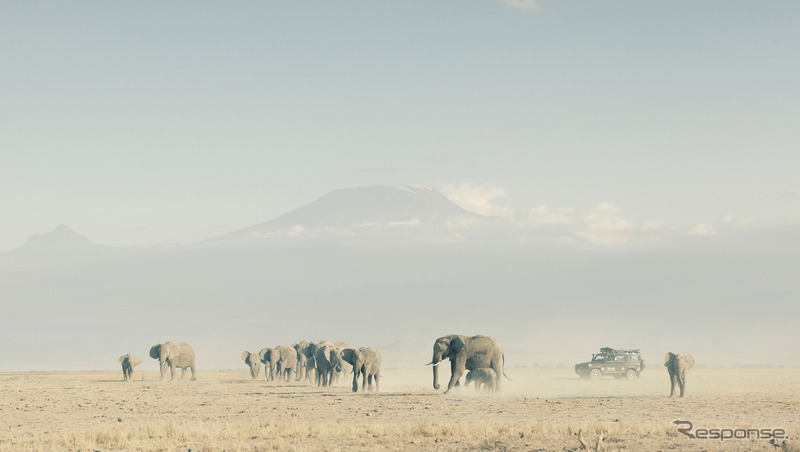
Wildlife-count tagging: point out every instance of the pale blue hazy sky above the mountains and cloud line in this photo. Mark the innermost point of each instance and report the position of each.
(152, 122)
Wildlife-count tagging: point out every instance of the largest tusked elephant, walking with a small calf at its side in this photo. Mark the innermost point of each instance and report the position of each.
(467, 353)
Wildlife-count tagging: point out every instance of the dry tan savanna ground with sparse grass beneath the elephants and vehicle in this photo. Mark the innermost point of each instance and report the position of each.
(541, 409)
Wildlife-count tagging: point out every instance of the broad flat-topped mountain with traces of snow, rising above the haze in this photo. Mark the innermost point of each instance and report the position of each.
(362, 207)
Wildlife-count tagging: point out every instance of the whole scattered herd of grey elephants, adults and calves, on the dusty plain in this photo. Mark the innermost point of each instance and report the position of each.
(481, 355)
